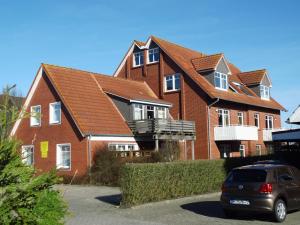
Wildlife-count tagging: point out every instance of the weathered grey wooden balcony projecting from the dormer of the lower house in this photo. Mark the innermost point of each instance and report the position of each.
(164, 129)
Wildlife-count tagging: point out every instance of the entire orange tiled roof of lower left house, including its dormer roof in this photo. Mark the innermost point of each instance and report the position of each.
(83, 94)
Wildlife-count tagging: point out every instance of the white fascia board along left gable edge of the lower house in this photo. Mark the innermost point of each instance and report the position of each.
(28, 99)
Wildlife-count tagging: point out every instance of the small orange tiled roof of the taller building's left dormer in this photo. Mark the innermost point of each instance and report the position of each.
(206, 63)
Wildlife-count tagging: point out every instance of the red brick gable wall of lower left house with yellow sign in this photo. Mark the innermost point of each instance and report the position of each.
(66, 132)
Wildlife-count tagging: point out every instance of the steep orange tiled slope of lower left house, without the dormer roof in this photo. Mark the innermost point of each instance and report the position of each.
(91, 109)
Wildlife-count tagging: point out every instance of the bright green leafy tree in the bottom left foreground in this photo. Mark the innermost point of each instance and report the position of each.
(25, 197)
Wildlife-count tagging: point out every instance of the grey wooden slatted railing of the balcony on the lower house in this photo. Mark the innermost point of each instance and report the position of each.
(160, 126)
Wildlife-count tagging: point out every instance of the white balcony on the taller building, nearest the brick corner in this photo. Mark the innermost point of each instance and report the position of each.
(236, 133)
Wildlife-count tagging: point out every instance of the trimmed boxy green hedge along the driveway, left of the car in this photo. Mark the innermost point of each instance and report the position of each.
(141, 183)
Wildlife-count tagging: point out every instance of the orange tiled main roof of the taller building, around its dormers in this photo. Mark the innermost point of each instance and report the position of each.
(183, 58)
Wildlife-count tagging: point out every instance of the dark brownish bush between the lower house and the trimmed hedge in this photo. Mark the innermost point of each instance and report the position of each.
(106, 166)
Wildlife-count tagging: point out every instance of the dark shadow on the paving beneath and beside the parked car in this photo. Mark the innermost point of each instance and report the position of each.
(214, 209)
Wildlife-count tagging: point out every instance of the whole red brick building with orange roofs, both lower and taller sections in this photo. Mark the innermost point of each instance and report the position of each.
(160, 91)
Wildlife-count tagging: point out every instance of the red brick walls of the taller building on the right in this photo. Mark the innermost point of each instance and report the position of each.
(191, 104)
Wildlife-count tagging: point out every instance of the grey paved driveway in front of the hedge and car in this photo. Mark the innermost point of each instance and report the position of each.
(92, 205)
